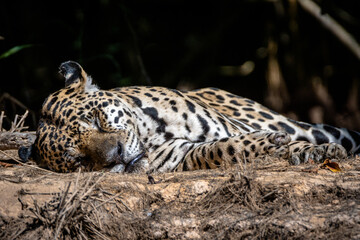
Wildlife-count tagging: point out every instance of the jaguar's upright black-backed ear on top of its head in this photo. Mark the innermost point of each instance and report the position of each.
(72, 72)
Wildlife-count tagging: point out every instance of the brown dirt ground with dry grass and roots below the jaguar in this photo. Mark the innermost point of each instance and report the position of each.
(268, 200)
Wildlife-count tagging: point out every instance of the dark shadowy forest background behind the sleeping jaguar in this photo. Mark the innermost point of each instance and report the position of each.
(274, 52)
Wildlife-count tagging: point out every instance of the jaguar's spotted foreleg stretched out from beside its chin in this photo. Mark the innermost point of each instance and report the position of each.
(235, 149)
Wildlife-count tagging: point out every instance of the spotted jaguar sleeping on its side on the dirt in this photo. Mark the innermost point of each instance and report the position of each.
(156, 129)
